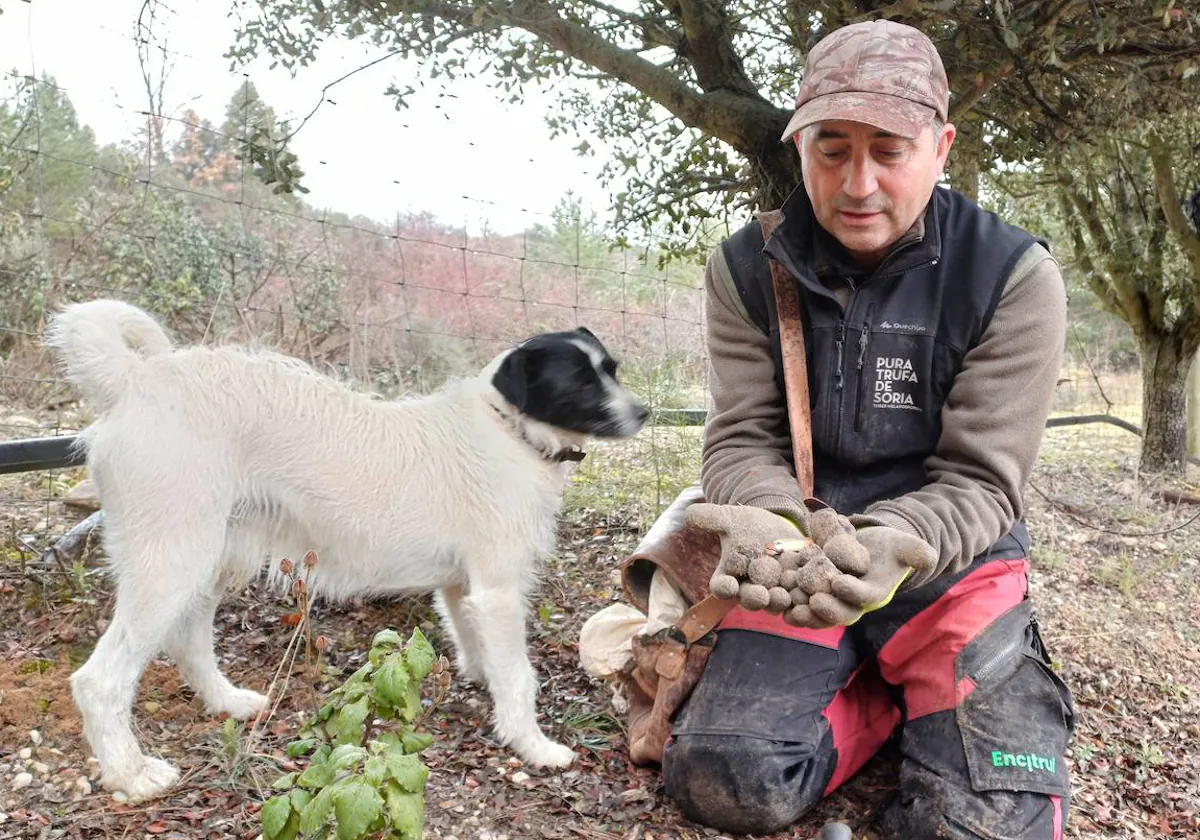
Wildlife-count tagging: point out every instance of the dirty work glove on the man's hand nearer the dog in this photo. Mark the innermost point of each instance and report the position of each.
(747, 571)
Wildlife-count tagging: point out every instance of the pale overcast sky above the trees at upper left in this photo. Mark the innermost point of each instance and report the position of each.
(361, 155)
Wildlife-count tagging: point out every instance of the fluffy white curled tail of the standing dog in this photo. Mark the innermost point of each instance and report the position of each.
(103, 345)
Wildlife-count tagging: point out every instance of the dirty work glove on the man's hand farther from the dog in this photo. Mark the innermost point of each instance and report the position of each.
(891, 559)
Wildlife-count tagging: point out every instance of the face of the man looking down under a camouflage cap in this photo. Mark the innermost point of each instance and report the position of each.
(868, 187)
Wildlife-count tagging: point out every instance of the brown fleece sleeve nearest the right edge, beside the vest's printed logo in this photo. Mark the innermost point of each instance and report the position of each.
(993, 423)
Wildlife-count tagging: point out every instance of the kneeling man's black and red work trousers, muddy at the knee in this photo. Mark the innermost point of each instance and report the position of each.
(783, 717)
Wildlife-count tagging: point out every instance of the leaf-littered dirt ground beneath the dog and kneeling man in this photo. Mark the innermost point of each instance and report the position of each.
(1117, 574)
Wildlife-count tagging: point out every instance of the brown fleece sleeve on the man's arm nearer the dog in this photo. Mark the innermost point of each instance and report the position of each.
(748, 451)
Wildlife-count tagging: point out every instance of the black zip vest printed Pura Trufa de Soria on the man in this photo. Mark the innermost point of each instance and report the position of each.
(881, 369)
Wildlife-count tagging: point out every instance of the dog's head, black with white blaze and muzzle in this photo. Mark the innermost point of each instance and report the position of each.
(569, 381)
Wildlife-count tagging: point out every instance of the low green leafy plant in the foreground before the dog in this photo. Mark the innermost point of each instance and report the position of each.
(365, 777)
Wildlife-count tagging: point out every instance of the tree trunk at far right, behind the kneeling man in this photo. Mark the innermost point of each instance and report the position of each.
(1165, 377)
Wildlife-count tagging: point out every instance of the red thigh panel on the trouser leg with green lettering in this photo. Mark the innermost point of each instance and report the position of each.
(921, 656)
